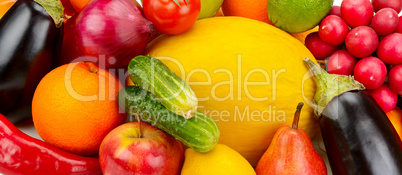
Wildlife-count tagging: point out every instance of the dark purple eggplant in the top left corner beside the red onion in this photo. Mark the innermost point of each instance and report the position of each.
(30, 43)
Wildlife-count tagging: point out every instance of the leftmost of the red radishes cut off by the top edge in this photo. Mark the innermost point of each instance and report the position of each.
(357, 12)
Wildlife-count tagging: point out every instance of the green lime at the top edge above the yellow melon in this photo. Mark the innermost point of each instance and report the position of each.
(295, 16)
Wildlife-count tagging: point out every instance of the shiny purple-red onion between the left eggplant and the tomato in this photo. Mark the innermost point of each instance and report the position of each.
(113, 31)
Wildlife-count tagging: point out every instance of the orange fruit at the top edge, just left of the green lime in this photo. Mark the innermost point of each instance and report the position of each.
(253, 9)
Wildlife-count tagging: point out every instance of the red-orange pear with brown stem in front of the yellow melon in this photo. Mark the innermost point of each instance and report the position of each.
(291, 152)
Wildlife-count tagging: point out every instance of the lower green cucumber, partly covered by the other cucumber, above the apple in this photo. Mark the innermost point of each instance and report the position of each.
(200, 133)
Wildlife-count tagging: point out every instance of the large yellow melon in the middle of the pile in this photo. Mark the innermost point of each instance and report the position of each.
(248, 76)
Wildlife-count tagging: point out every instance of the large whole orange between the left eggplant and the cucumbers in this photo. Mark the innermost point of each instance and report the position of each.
(75, 106)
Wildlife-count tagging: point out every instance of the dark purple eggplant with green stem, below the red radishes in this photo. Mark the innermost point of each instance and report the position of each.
(358, 136)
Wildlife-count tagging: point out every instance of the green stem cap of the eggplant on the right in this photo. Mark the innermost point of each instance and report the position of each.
(329, 85)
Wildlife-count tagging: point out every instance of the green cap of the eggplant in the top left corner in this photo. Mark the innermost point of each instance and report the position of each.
(55, 10)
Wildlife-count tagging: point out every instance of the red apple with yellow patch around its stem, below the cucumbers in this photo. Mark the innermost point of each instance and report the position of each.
(124, 151)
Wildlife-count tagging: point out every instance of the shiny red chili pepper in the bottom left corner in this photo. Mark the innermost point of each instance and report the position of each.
(22, 154)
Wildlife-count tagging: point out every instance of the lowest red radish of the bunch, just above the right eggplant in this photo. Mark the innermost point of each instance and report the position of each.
(385, 97)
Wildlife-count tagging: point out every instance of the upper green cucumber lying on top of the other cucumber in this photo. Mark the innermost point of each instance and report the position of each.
(173, 92)
